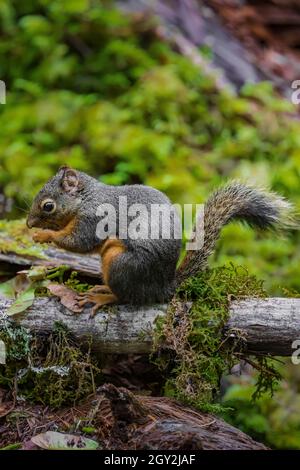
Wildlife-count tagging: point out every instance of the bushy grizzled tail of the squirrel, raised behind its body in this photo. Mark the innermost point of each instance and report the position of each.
(235, 201)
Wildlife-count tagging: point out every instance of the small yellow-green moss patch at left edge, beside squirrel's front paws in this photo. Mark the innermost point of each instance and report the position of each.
(15, 238)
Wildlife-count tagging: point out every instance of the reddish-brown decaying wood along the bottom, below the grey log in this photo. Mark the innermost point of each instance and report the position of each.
(135, 422)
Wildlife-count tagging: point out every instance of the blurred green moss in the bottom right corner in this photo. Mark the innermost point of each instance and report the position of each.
(272, 420)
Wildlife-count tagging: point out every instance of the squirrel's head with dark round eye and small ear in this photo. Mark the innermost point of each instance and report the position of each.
(58, 201)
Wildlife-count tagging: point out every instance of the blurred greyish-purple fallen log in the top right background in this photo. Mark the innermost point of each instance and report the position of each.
(190, 24)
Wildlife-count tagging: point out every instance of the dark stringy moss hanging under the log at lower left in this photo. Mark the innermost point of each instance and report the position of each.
(51, 370)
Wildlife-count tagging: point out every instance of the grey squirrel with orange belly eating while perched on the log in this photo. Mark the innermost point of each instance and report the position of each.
(140, 270)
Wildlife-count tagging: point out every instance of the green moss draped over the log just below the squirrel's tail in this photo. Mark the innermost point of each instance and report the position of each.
(189, 344)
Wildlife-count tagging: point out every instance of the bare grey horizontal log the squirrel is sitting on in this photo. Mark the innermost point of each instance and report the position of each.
(266, 326)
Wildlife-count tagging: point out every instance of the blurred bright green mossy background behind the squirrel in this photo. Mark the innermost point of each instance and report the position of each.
(100, 91)
